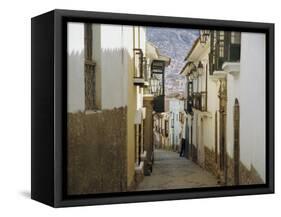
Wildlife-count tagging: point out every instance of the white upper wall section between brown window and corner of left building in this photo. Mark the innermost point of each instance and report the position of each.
(116, 44)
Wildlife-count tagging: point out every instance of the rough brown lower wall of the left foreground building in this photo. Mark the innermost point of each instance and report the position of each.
(97, 152)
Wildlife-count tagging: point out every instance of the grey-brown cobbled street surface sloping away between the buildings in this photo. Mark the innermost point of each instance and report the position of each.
(171, 171)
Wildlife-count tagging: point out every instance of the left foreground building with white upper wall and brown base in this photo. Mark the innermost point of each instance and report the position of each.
(107, 73)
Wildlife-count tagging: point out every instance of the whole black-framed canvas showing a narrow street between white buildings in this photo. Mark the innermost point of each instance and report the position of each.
(134, 108)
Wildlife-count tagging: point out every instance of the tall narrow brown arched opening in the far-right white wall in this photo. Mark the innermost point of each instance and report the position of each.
(236, 154)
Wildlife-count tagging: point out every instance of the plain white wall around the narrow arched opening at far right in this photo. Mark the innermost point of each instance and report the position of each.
(249, 88)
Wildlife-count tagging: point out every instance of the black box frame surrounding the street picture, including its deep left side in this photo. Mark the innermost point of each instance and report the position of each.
(48, 69)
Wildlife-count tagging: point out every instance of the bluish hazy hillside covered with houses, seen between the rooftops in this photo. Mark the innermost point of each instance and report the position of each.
(174, 43)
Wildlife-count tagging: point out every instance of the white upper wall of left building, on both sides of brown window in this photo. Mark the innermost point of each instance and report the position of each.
(112, 53)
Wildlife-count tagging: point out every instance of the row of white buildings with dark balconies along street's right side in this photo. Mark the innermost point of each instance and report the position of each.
(226, 105)
